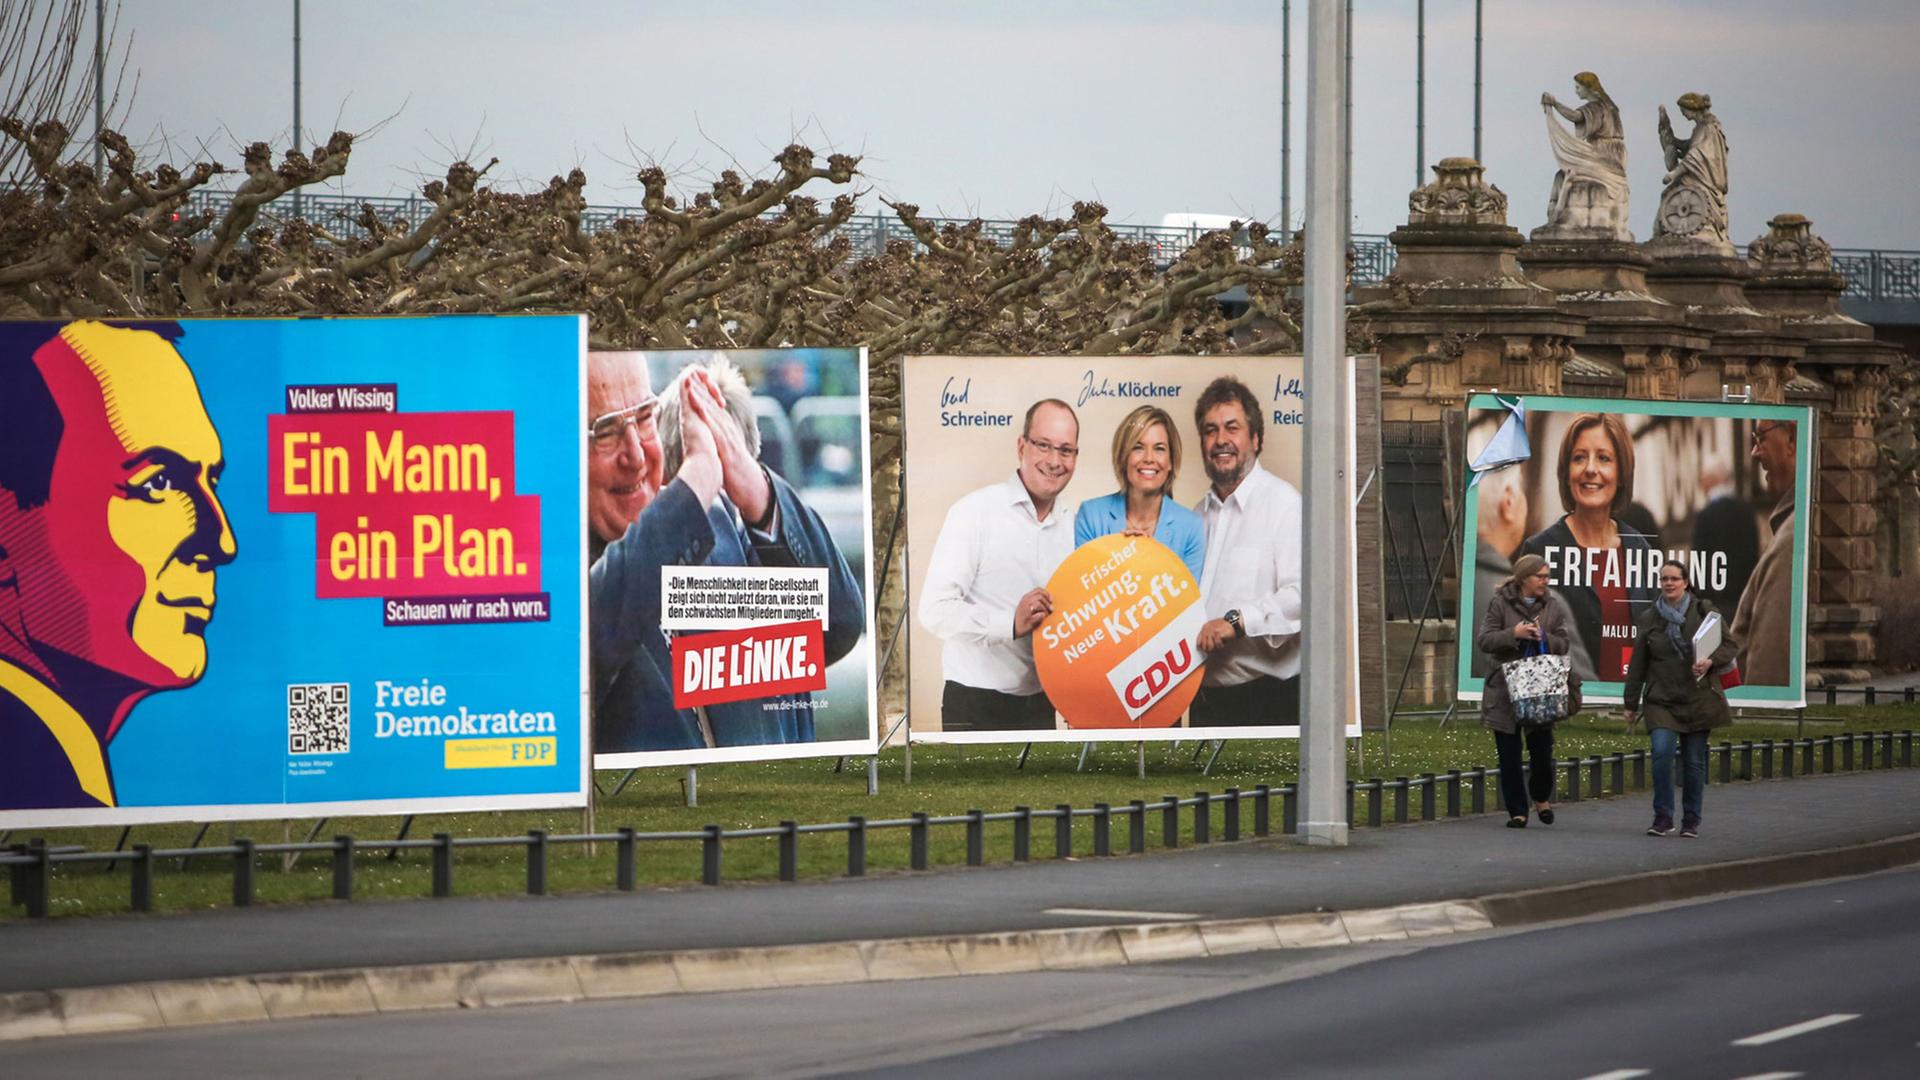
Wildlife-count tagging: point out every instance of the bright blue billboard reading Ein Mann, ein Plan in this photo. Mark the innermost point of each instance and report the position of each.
(285, 568)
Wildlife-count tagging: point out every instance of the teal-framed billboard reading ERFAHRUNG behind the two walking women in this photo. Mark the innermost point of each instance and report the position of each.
(1606, 491)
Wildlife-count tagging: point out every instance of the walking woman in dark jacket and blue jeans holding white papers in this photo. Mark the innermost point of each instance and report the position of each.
(1681, 695)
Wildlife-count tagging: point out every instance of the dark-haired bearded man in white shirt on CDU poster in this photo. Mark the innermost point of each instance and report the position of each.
(1251, 579)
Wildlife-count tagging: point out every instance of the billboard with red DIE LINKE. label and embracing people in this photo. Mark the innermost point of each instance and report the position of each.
(729, 535)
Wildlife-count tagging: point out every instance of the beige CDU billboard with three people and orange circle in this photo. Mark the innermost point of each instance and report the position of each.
(1047, 606)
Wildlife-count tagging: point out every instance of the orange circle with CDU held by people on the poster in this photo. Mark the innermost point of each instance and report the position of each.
(1118, 652)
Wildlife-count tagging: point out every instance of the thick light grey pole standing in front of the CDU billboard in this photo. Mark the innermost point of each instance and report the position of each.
(1328, 631)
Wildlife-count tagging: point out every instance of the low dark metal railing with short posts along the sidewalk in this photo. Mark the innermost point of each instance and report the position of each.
(32, 866)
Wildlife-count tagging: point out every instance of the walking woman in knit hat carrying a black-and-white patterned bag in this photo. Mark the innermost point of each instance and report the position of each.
(1522, 614)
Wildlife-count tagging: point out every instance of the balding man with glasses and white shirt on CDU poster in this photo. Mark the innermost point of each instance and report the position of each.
(986, 585)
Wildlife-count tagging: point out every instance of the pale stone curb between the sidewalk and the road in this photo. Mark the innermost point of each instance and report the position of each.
(542, 981)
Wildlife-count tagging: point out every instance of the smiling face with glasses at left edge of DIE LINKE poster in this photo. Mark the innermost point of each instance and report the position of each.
(625, 456)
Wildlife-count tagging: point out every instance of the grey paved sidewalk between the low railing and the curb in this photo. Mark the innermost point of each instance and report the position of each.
(1414, 864)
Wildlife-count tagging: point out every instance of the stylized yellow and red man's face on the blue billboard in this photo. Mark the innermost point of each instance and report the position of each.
(132, 533)
